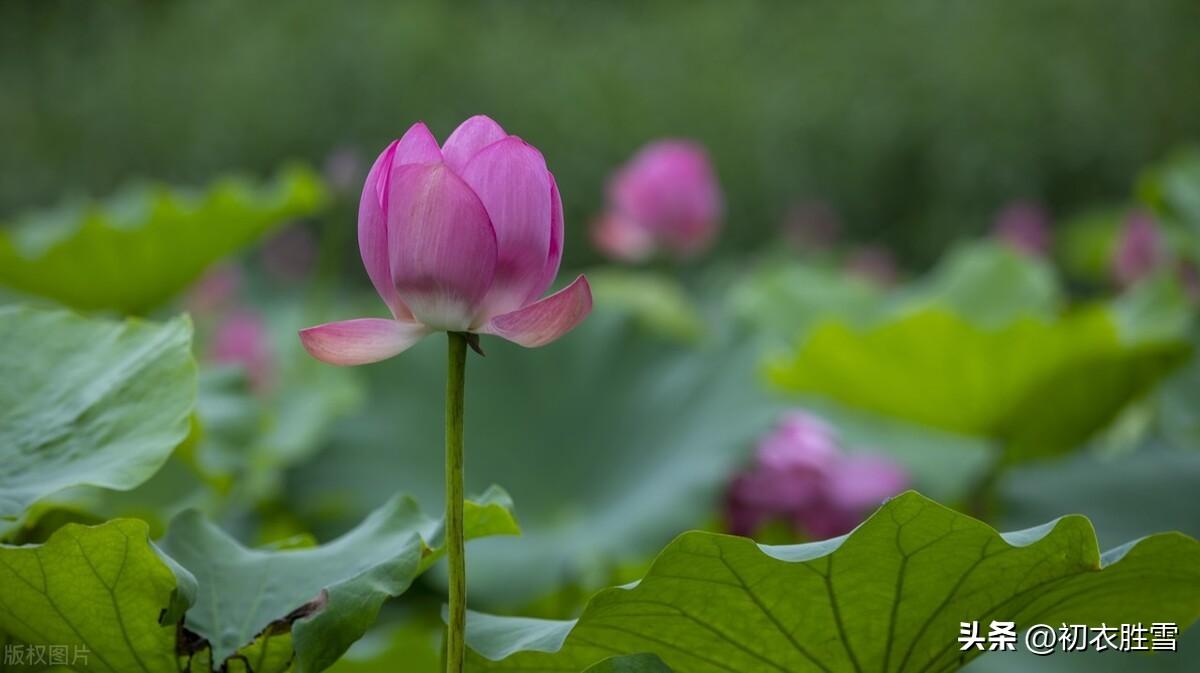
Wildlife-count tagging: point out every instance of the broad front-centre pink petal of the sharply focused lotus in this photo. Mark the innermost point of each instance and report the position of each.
(442, 245)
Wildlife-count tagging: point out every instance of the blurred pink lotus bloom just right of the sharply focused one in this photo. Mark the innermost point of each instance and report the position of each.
(667, 199)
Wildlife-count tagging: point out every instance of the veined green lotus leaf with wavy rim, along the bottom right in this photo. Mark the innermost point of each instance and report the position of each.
(889, 598)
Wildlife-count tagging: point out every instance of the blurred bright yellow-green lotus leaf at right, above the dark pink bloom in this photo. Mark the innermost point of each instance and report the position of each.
(1037, 387)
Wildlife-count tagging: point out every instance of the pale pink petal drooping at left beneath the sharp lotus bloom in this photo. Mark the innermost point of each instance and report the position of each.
(362, 341)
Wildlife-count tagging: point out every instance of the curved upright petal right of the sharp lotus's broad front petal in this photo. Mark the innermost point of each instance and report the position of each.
(512, 179)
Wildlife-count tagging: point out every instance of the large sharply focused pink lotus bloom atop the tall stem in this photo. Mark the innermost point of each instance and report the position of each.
(464, 238)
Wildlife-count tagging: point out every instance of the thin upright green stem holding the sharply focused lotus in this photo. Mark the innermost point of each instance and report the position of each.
(457, 371)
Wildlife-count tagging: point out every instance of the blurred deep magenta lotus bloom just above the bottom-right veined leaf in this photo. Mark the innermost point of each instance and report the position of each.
(802, 476)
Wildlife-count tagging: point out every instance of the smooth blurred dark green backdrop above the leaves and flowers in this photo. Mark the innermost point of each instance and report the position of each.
(915, 121)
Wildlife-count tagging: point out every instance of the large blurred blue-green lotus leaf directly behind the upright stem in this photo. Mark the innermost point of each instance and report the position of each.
(613, 443)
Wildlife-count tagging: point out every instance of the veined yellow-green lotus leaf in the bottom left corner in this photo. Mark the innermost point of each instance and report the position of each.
(99, 590)
